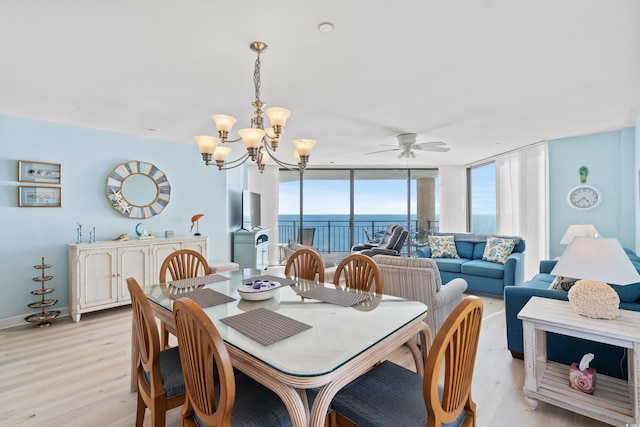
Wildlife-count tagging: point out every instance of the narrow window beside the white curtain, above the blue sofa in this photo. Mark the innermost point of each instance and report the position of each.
(482, 199)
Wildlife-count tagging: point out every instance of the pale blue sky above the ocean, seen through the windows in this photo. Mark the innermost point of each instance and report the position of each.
(373, 197)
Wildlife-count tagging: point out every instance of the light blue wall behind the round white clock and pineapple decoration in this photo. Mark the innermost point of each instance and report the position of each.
(610, 157)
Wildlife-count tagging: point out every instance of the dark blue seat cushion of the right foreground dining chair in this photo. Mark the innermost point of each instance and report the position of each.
(387, 396)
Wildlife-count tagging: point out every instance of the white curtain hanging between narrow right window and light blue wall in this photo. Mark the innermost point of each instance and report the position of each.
(521, 186)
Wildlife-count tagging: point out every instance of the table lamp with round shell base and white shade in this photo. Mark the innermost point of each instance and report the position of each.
(597, 261)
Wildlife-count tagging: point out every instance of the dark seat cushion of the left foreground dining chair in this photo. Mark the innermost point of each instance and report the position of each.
(255, 406)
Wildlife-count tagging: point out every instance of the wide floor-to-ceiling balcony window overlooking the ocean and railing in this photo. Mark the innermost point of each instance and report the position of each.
(349, 206)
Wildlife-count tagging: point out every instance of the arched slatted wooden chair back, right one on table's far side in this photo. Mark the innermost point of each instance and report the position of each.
(360, 272)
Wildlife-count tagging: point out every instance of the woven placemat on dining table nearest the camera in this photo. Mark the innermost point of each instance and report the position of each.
(265, 326)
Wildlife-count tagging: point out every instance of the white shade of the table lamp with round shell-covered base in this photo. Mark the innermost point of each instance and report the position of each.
(597, 259)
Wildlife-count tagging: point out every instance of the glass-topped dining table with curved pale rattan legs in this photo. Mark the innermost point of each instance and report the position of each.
(338, 343)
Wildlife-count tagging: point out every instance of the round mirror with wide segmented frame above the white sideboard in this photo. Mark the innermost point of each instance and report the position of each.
(138, 189)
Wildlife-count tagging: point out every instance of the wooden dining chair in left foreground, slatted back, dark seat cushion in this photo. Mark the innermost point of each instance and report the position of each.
(214, 395)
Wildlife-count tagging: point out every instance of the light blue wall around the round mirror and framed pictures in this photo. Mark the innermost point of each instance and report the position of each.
(87, 157)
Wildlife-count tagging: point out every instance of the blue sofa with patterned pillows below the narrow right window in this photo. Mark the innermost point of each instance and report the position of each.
(481, 276)
